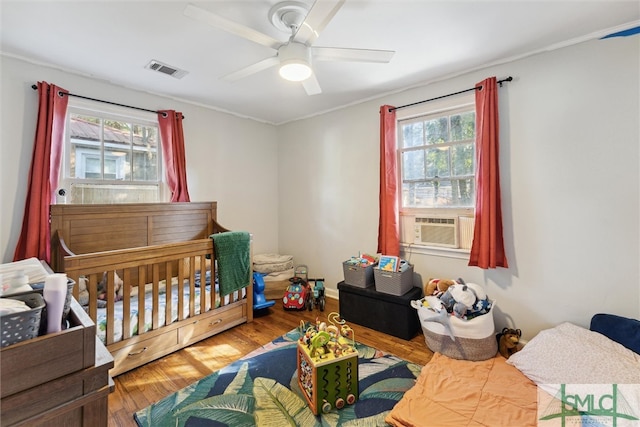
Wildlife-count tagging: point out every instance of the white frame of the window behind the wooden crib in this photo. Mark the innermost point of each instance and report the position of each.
(111, 112)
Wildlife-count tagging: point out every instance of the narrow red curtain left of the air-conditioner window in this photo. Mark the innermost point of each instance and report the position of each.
(388, 229)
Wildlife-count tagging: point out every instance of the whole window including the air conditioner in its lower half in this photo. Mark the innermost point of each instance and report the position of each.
(436, 151)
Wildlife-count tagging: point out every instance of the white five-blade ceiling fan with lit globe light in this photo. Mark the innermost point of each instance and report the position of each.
(295, 56)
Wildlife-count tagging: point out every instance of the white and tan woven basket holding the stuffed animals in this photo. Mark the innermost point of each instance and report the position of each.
(474, 339)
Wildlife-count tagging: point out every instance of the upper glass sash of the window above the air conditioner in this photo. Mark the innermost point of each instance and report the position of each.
(437, 155)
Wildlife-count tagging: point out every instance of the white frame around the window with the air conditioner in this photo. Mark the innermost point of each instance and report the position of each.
(444, 106)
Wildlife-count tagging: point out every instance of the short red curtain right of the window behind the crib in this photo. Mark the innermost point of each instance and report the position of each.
(173, 152)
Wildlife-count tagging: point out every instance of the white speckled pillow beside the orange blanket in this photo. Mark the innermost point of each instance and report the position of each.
(570, 354)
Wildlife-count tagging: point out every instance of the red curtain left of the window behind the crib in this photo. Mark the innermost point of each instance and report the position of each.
(35, 239)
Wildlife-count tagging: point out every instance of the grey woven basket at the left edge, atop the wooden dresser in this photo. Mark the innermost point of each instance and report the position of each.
(25, 325)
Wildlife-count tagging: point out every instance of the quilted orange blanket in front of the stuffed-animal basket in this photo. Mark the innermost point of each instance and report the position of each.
(452, 392)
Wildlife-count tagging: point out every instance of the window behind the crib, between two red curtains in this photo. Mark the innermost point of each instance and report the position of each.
(111, 157)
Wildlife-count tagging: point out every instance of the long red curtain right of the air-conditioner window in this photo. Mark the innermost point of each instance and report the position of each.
(487, 250)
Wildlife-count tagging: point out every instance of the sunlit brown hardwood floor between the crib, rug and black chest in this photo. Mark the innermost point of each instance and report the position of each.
(147, 384)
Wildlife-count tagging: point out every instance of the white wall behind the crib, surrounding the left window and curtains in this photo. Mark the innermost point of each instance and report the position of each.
(229, 159)
